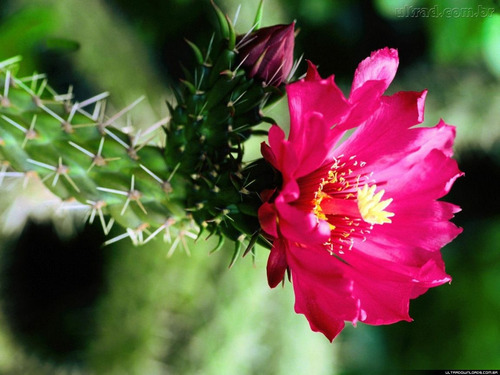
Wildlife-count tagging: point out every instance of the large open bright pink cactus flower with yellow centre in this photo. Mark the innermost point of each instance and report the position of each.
(357, 222)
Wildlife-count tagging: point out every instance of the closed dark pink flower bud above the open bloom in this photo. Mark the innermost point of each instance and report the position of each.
(267, 54)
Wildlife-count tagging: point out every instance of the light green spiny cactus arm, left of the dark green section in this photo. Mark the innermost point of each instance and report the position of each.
(80, 155)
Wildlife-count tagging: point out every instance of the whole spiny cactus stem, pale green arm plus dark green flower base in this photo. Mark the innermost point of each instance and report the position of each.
(196, 179)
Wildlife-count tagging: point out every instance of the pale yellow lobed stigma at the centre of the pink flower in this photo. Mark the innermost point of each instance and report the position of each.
(370, 206)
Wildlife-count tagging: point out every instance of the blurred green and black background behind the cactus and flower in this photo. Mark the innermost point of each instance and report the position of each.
(70, 306)
